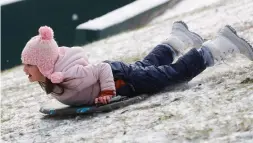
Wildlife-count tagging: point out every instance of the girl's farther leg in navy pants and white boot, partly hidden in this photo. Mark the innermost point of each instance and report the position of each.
(179, 39)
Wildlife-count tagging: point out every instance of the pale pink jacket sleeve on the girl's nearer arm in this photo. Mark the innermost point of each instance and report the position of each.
(89, 75)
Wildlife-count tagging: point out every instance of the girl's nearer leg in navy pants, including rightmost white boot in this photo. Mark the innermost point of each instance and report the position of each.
(152, 79)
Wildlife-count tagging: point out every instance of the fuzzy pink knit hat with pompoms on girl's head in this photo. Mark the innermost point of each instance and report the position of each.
(42, 51)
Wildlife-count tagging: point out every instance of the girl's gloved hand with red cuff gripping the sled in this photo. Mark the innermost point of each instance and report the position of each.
(105, 96)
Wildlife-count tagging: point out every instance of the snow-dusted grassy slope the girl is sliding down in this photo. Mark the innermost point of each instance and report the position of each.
(216, 106)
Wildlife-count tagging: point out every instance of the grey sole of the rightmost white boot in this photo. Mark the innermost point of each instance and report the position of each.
(248, 46)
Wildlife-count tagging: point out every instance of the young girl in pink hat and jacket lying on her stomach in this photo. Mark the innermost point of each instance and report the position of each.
(70, 78)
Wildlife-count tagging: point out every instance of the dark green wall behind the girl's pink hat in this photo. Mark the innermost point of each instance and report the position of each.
(21, 20)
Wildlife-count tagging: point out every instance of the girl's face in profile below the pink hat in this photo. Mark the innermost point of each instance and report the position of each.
(33, 73)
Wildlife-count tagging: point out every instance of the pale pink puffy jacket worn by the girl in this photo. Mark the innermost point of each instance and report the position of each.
(82, 81)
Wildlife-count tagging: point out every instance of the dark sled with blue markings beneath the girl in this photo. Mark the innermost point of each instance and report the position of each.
(59, 109)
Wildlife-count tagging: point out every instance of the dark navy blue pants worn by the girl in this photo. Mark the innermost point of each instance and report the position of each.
(156, 71)
